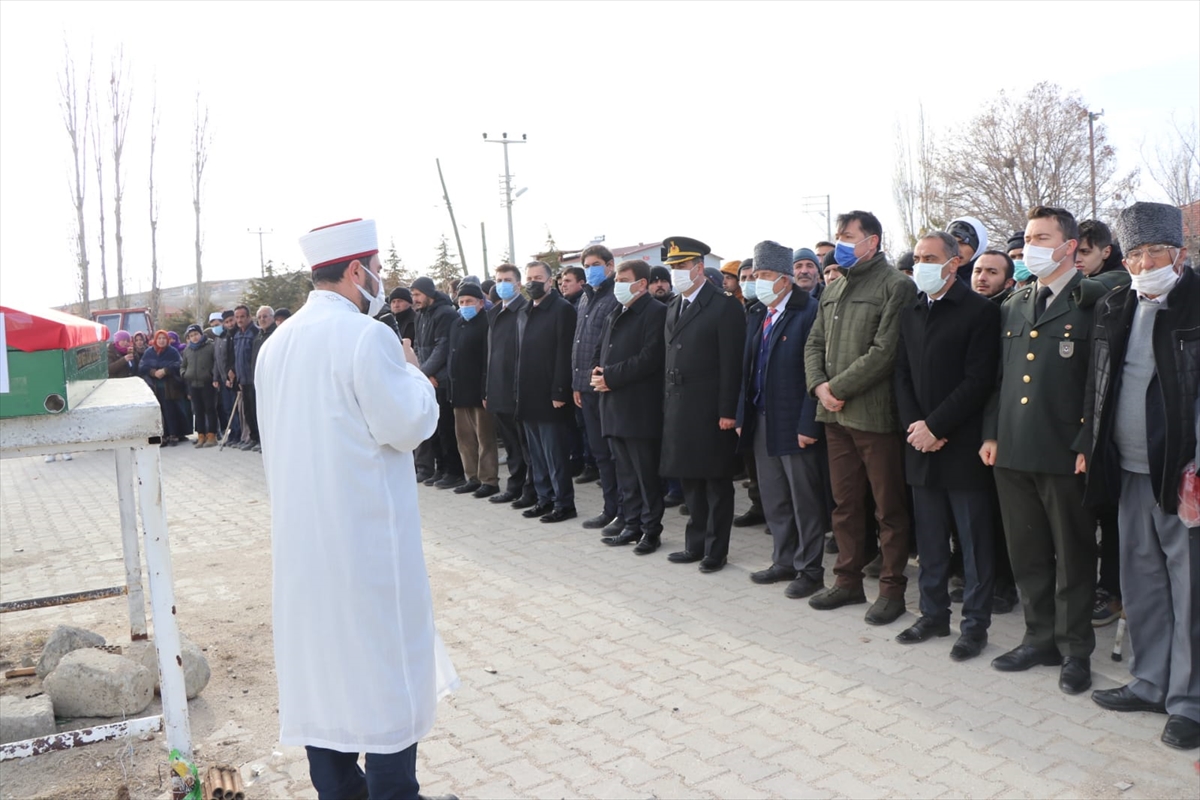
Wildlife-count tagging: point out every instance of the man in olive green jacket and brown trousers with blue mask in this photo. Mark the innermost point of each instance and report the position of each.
(849, 364)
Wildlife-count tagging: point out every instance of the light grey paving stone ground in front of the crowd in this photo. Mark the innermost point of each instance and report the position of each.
(590, 672)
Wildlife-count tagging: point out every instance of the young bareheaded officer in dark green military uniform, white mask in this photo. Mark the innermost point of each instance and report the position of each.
(1034, 436)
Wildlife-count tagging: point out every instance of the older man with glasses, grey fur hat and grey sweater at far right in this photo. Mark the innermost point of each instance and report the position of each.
(1141, 436)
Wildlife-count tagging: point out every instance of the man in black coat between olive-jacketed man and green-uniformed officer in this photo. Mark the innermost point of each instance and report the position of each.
(946, 371)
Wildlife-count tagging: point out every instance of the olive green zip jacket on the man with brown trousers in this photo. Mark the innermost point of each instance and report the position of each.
(854, 345)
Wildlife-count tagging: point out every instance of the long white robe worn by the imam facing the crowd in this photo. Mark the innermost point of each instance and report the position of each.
(361, 665)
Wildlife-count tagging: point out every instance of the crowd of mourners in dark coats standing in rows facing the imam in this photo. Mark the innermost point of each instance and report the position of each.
(1021, 418)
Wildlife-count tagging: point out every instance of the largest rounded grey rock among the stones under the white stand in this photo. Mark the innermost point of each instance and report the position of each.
(95, 684)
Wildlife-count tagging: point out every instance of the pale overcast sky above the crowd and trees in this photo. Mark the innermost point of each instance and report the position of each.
(645, 121)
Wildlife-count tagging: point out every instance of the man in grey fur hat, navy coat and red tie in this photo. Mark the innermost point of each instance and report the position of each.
(777, 419)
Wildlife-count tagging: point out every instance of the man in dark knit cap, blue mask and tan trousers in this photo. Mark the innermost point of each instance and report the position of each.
(475, 429)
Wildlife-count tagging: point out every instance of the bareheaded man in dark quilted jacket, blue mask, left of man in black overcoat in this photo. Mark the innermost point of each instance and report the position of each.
(591, 315)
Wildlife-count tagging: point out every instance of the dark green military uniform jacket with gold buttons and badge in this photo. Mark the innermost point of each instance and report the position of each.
(1036, 416)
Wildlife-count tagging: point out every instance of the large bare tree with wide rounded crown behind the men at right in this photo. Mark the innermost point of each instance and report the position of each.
(1022, 153)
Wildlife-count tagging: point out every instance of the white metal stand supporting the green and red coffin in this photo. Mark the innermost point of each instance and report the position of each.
(122, 416)
